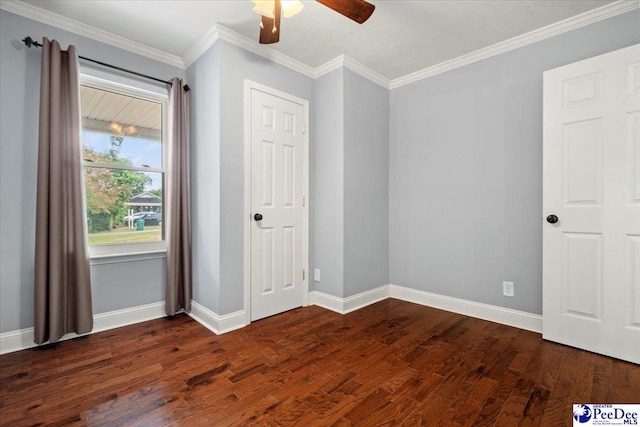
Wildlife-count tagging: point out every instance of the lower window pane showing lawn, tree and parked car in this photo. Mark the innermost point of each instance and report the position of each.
(123, 206)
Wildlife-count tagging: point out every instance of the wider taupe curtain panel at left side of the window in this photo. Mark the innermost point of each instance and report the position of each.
(62, 286)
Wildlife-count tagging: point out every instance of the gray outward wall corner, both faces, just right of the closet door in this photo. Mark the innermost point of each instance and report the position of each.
(350, 195)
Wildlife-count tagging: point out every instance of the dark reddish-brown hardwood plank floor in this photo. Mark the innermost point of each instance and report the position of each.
(392, 363)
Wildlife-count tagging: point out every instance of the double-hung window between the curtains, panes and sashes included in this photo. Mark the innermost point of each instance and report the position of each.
(123, 167)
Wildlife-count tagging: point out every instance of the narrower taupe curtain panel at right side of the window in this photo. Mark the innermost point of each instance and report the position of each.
(178, 205)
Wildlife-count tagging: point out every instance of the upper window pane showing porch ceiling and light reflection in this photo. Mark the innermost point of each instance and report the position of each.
(120, 128)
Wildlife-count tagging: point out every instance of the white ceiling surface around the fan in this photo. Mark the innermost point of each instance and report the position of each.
(400, 38)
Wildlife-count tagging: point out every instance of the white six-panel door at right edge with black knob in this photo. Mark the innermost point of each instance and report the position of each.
(591, 255)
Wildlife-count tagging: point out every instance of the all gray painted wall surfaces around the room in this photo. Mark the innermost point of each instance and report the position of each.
(464, 168)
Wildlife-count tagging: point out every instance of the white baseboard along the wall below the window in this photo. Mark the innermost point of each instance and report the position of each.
(22, 339)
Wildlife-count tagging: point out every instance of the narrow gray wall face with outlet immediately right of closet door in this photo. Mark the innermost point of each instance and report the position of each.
(327, 185)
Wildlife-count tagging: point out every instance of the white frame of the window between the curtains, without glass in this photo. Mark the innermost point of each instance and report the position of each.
(128, 89)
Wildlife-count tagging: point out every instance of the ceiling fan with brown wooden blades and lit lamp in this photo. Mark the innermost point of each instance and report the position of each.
(272, 10)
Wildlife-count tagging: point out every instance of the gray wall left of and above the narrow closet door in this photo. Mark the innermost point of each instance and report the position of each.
(220, 73)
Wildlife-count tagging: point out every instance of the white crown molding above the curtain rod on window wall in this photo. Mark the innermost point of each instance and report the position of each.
(76, 27)
